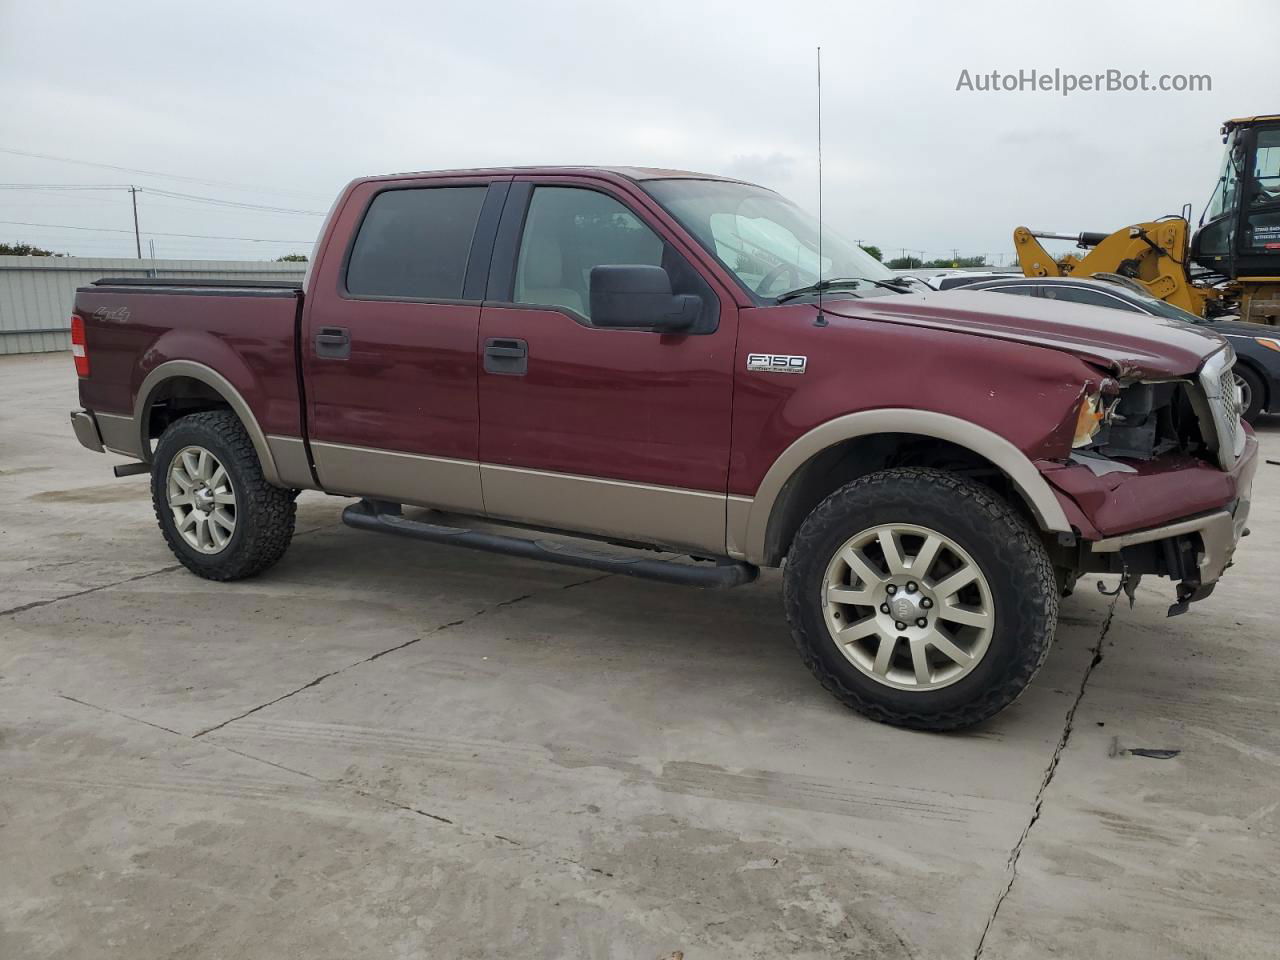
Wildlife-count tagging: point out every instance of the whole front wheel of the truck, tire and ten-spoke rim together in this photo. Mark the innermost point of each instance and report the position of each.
(921, 600)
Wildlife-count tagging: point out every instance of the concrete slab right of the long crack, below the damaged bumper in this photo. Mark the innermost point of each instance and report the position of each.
(1185, 853)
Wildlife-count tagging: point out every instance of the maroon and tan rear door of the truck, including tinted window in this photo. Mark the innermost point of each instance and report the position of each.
(390, 341)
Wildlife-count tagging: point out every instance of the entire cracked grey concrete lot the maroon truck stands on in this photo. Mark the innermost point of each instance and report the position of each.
(390, 748)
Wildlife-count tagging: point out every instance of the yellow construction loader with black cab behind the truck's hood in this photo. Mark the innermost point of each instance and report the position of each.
(1229, 267)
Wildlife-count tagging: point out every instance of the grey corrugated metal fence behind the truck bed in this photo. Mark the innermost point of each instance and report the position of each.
(38, 294)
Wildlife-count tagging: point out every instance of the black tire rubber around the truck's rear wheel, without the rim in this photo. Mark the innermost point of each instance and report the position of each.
(264, 514)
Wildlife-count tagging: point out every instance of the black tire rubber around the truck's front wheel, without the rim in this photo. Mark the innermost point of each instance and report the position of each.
(1008, 551)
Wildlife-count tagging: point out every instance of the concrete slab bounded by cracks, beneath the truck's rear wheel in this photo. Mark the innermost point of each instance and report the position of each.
(198, 653)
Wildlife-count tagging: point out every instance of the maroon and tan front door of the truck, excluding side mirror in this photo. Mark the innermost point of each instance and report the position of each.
(618, 433)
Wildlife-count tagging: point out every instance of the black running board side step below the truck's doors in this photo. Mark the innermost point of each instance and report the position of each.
(387, 519)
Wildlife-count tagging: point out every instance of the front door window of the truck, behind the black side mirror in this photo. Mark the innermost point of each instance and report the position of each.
(572, 230)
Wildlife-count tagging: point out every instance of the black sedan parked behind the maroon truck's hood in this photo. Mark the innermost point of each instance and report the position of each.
(1258, 349)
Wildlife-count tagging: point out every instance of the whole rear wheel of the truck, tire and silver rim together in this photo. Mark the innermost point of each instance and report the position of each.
(217, 511)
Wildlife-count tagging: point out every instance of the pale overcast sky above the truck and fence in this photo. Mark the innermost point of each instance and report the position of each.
(280, 106)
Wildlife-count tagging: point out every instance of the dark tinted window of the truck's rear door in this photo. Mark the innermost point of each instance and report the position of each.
(415, 244)
